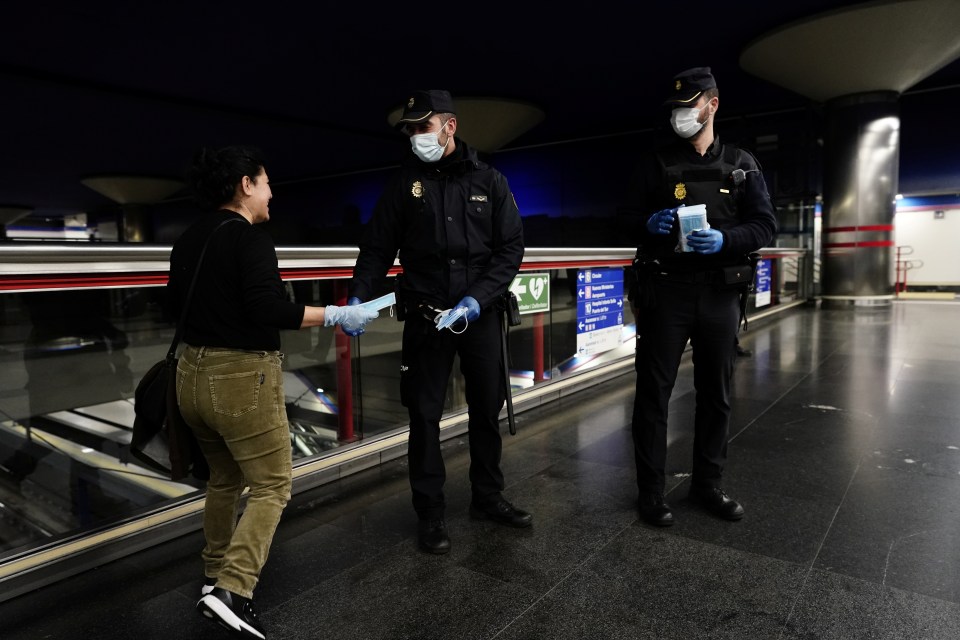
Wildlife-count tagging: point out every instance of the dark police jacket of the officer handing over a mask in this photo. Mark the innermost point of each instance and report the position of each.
(456, 227)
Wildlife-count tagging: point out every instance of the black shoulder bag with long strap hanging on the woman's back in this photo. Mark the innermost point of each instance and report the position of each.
(162, 440)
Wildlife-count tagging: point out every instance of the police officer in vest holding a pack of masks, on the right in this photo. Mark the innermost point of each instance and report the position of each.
(694, 295)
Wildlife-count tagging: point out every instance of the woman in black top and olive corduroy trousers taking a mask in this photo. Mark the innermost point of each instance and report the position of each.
(229, 380)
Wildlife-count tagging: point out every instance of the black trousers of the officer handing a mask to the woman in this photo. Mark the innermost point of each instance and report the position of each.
(428, 357)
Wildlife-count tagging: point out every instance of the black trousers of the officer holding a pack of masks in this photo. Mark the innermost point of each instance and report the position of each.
(709, 318)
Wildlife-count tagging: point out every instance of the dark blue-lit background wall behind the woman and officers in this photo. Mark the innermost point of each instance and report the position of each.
(568, 192)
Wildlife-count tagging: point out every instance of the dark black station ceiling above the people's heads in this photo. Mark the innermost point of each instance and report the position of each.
(123, 88)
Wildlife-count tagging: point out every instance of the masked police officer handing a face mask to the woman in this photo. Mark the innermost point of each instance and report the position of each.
(455, 223)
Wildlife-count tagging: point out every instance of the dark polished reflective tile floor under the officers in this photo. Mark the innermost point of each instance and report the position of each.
(845, 453)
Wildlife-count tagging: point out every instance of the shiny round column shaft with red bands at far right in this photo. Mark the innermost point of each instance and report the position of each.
(861, 164)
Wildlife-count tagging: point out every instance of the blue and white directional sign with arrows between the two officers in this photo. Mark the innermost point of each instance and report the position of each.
(599, 309)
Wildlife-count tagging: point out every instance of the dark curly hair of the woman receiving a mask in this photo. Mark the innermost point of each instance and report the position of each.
(215, 173)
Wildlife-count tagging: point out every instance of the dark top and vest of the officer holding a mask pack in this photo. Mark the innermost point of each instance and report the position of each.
(738, 204)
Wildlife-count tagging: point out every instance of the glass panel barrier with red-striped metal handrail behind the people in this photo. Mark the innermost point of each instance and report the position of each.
(81, 325)
